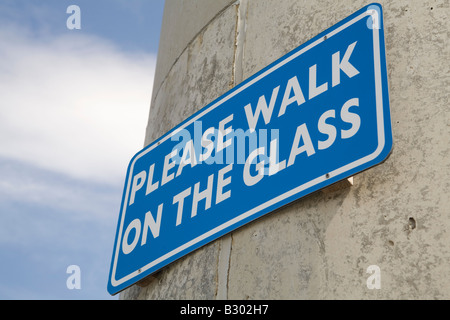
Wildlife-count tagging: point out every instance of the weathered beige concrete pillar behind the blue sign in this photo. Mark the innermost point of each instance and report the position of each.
(396, 215)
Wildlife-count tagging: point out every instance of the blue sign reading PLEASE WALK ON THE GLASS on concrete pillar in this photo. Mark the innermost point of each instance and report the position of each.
(317, 115)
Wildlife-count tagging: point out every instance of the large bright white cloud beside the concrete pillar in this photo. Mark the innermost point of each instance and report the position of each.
(72, 104)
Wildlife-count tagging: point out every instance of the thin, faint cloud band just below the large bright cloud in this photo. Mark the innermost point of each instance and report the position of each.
(31, 187)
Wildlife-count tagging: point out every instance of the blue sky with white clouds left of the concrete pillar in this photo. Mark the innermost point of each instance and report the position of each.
(74, 105)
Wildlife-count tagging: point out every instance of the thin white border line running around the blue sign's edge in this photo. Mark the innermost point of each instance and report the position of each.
(381, 141)
